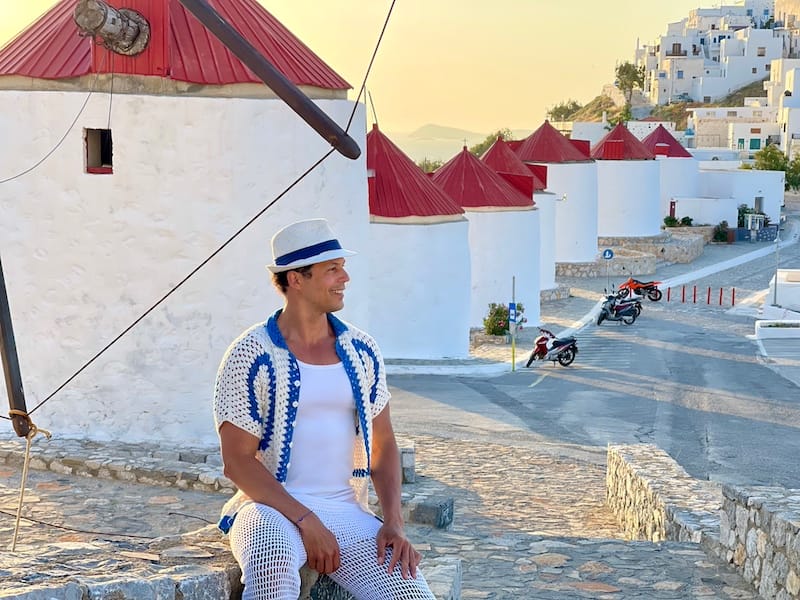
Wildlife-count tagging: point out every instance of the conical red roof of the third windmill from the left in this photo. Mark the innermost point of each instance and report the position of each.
(473, 184)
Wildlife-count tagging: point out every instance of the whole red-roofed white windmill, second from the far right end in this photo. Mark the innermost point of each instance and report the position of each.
(628, 183)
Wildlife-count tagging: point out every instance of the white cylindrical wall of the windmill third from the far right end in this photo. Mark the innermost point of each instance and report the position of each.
(576, 215)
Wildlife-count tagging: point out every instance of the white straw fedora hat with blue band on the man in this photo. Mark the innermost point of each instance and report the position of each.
(305, 243)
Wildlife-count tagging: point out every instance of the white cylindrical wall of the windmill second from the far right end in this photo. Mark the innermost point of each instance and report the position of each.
(628, 198)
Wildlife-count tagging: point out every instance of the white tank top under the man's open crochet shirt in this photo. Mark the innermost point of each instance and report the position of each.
(321, 462)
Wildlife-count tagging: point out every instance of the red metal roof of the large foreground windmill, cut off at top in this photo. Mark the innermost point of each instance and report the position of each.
(180, 47)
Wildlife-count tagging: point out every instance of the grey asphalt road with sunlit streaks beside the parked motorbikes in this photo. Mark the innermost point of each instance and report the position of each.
(684, 377)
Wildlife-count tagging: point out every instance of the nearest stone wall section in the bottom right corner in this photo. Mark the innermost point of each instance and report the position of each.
(760, 535)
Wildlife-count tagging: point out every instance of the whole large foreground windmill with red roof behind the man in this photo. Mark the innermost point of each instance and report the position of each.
(171, 152)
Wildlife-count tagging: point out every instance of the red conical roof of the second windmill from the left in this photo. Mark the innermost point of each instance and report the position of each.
(398, 187)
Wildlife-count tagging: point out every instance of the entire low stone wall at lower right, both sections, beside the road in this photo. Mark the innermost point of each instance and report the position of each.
(756, 529)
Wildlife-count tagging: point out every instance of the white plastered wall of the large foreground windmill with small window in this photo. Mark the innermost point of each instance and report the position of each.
(84, 255)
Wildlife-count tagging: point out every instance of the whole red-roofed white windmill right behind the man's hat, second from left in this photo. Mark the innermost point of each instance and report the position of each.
(420, 257)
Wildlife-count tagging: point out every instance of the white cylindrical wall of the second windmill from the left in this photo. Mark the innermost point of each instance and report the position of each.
(420, 289)
